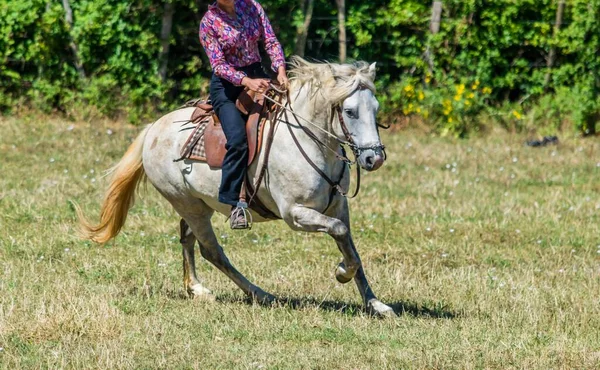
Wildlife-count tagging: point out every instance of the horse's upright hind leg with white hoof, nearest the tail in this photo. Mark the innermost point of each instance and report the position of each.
(190, 281)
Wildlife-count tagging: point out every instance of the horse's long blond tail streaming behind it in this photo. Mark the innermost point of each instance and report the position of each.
(120, 196)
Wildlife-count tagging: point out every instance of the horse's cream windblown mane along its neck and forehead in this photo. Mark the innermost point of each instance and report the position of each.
(335, 82)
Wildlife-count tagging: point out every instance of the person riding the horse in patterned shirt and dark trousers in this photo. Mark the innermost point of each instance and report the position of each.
(229, 32)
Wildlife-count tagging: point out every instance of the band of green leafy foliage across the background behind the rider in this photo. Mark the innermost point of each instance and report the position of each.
(505, 45)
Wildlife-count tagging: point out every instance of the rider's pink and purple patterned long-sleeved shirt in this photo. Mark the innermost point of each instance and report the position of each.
(231, 42)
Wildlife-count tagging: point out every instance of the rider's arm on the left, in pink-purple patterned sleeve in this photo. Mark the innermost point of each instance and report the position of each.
(215, 55)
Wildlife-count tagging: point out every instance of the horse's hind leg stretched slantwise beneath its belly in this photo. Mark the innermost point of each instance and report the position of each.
(213, 252)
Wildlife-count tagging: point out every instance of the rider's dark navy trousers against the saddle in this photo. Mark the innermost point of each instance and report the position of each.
(223, 95)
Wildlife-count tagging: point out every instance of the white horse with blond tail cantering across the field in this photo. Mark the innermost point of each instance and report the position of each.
(328, 95)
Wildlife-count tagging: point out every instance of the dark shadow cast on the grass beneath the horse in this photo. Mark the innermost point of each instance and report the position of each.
(435, 310)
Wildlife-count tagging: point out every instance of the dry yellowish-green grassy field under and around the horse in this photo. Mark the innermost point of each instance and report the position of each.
(489, 251)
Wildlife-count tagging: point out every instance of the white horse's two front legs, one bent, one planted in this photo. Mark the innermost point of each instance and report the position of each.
(339, 228)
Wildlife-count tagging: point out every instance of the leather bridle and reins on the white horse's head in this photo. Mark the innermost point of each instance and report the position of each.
(356, 150)
